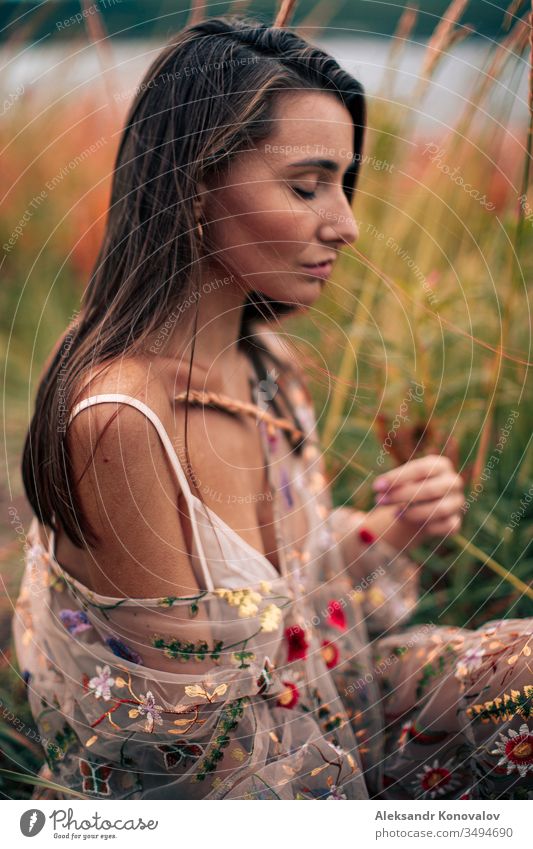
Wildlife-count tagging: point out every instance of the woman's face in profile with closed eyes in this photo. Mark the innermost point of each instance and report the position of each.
(271, 214)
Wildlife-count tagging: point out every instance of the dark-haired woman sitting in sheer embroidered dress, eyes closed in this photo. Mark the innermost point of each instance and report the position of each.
(196, 620)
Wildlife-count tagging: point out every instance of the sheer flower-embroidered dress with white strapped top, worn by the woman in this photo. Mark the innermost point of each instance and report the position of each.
(267, 684)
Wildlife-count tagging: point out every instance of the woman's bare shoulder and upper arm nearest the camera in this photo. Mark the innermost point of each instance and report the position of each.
(127, 488)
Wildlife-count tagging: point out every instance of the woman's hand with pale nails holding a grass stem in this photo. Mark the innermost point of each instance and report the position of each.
(429, 494)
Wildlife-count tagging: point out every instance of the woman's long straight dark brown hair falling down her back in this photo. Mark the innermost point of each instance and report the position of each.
(150, 253)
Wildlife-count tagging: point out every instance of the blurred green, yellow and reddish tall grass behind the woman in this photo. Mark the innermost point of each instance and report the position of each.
(435, 294)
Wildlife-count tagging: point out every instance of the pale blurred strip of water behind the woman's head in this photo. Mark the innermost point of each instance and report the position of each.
(67, 69)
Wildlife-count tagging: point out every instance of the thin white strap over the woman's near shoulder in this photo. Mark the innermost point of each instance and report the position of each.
(171, 452)
